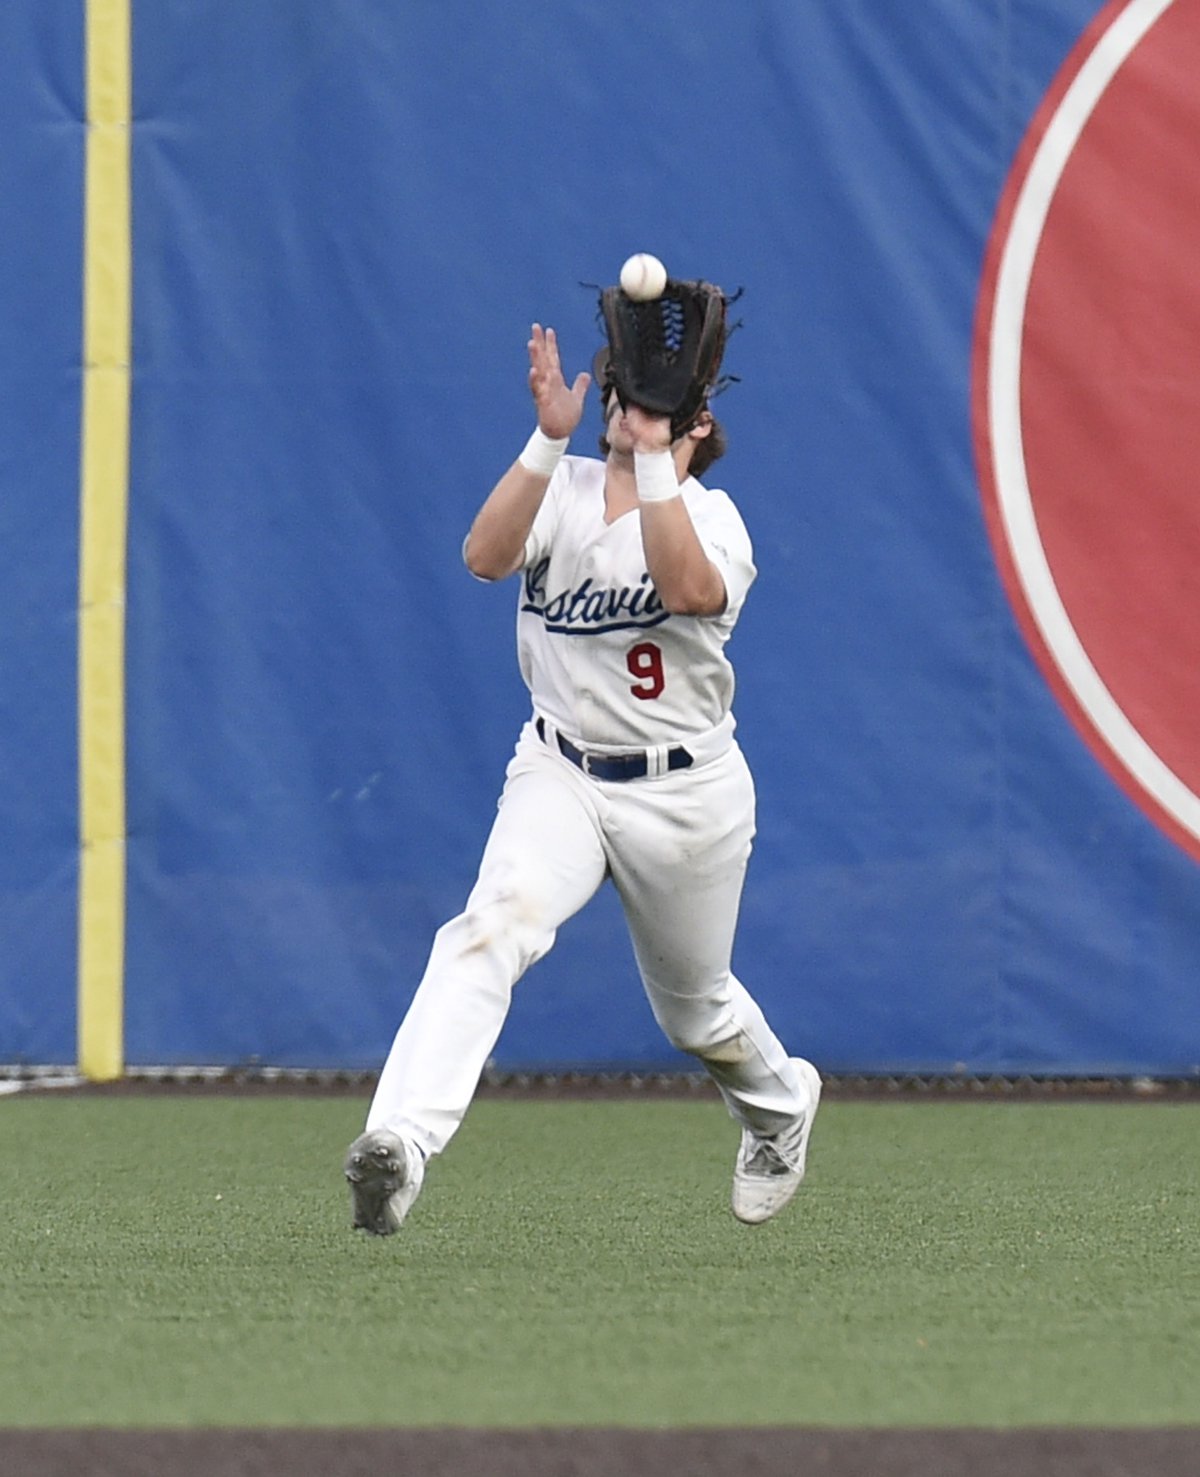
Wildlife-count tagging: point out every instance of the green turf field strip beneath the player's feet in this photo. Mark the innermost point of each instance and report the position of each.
(188, 1262)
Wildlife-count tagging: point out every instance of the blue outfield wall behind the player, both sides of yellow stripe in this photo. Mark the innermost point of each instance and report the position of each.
(347, 216)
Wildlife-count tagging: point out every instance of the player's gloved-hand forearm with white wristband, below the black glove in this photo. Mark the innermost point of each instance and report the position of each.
(686, 580)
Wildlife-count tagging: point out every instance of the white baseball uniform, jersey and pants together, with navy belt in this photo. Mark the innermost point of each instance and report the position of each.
(627, 770)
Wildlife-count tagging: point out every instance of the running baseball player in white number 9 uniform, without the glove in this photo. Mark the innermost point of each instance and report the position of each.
(632, 578)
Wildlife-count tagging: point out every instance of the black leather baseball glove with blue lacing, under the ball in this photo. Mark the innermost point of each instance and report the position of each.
(664, 355)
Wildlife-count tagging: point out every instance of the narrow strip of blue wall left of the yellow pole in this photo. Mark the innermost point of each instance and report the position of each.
(41, 304)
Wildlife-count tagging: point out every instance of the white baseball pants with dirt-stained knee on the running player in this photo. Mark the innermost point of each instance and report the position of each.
(676, 849)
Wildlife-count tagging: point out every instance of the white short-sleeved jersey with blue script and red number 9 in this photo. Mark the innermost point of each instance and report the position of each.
(604, 661)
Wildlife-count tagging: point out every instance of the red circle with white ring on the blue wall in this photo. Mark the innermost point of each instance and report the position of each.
(1087, 398)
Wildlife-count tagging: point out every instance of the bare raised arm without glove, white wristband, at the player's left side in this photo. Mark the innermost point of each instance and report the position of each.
(496, 546)
